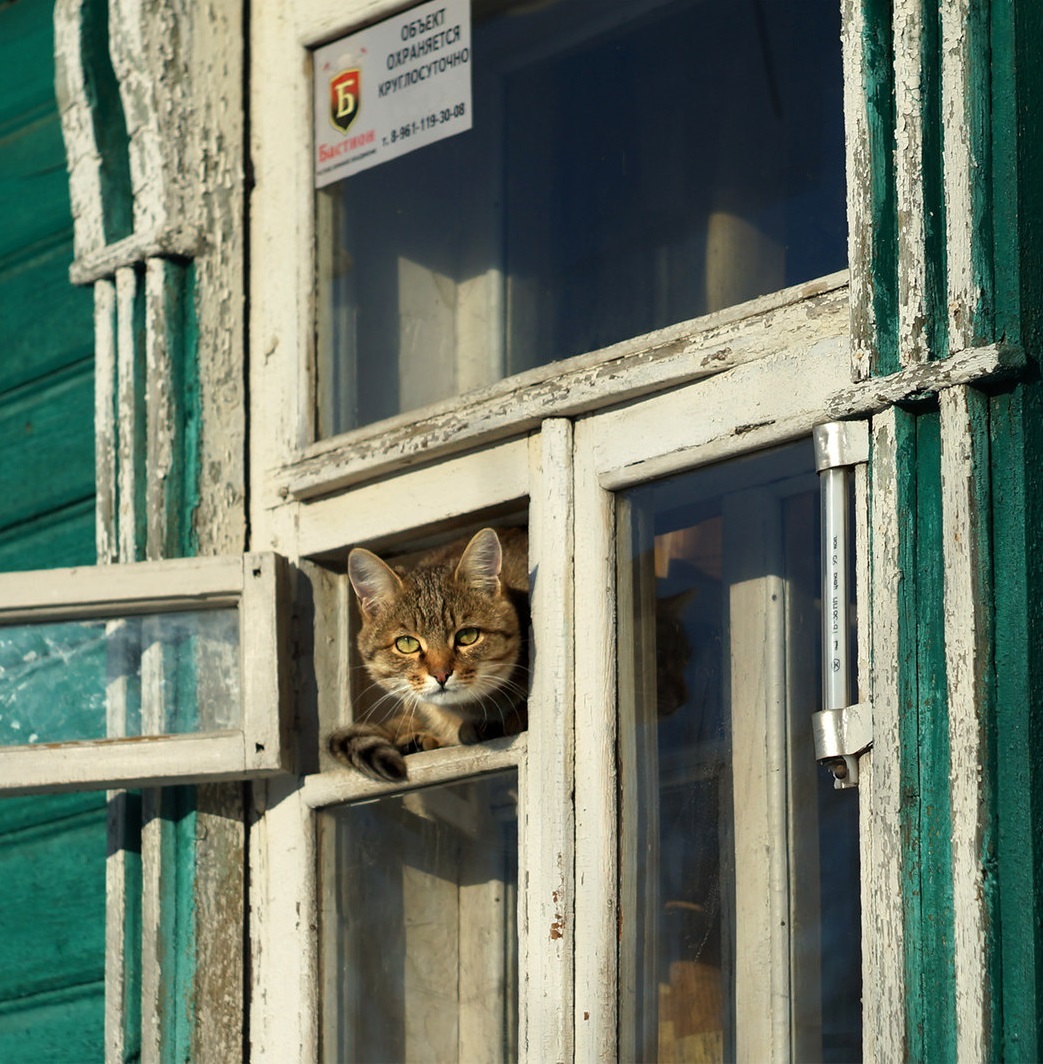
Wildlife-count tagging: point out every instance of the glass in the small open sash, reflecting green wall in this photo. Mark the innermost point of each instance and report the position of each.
(111, 678)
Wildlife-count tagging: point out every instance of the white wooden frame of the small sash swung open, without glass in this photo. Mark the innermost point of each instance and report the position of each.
(250, 585)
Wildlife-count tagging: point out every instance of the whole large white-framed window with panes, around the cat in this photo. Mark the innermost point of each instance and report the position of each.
(553, 370)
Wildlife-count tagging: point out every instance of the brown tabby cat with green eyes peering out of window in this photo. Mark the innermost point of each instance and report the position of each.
(446, 643)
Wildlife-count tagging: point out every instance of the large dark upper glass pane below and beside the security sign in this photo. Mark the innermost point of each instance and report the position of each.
(631, 165)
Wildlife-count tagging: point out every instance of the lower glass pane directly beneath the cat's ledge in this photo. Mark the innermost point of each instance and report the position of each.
(420, 933)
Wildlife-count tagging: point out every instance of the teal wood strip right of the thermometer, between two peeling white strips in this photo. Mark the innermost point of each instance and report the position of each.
(924, 754)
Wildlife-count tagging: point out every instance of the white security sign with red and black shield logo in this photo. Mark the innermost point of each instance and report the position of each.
(392, 89)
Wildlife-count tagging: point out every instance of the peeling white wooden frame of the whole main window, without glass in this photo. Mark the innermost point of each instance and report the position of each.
(568, 437)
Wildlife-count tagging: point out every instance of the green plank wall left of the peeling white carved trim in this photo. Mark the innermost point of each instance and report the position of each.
(53, 850)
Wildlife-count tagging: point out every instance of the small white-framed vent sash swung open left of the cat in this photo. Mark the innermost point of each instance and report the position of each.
(188, 655)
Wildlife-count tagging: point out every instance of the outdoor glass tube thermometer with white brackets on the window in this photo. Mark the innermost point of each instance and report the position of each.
(842, 730)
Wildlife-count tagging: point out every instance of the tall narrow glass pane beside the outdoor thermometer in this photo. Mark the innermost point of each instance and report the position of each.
(738, 858)
